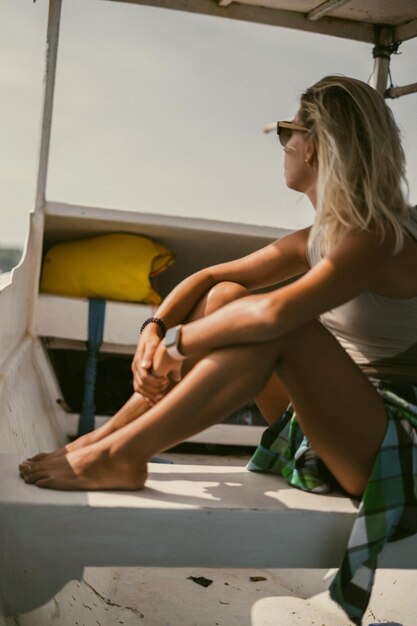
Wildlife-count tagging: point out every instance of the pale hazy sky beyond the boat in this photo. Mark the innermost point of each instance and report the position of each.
(162, 112)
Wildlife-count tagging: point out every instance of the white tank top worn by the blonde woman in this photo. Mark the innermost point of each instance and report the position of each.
(379, 333)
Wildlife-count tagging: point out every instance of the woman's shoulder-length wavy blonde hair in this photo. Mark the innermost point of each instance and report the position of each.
(361, 166)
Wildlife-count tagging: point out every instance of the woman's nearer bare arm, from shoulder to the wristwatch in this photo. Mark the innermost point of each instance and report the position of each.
(356, 264)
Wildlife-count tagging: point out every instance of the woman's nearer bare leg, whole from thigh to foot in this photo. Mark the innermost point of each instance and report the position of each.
(337, 406)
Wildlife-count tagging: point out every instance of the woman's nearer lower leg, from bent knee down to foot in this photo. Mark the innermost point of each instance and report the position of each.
(199, 400)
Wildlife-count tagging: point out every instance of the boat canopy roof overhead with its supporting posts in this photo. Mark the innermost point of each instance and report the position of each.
(383, 23)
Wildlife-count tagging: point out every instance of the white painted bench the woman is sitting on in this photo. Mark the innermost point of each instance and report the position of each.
(187, 516)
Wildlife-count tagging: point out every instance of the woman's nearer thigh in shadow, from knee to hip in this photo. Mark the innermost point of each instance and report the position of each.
(338, 408)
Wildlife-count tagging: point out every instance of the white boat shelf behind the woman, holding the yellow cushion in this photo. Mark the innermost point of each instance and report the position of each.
(63, 322)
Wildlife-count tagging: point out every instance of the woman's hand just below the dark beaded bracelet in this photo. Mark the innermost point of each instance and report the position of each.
(150, 385)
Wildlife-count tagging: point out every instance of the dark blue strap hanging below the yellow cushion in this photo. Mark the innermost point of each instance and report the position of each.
(96, 315)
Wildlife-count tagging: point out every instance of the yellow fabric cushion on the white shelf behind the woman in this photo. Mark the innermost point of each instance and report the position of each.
(112, 267)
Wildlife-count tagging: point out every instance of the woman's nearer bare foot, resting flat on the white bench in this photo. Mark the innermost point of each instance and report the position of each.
(90, 468)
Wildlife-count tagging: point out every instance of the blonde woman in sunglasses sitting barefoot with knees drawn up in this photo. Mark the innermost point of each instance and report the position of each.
(339, 342)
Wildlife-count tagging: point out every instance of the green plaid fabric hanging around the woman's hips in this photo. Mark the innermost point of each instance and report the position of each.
(388, 509)
